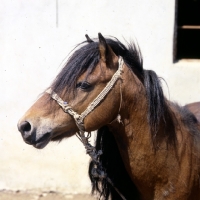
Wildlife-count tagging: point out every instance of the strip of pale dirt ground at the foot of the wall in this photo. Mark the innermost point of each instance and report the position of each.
(19, 195)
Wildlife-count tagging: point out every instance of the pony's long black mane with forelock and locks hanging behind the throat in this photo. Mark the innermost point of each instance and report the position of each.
(85, 58)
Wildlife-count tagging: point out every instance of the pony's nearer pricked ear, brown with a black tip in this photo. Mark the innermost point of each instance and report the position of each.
(106, 52)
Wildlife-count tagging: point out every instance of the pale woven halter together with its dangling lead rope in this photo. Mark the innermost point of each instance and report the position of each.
(98, 170)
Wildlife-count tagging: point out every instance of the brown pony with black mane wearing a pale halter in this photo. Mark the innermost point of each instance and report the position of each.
(148, 146)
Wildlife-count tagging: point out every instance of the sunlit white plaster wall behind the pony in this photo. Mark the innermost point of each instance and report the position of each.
(32, 48)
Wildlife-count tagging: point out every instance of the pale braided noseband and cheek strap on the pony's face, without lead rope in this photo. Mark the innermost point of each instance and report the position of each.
(79, 119)
